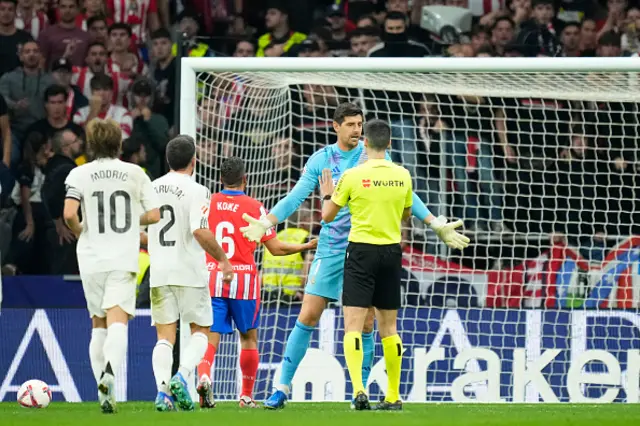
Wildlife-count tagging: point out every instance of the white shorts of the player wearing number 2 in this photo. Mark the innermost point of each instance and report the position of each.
(191, 304)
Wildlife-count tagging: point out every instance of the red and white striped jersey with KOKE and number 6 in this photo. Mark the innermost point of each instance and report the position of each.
(225, 221)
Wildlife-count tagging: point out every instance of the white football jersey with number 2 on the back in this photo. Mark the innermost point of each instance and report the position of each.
(176, 257)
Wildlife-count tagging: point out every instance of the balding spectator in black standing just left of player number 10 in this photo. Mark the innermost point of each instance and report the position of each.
(66, 146)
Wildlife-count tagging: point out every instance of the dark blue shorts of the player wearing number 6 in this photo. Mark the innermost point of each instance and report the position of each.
(245, 314)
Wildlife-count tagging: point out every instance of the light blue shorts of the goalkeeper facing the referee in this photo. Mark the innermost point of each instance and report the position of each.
(325, 277)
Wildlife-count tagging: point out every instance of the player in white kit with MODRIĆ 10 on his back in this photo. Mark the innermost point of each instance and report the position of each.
(115, 198)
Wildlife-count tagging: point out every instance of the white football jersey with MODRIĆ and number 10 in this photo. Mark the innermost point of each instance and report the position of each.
(113, 195)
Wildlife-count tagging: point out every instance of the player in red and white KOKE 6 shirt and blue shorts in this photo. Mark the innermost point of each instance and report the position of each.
(239, 300)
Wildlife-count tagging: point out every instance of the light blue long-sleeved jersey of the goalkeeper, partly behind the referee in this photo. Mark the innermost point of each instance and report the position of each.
(333, 236)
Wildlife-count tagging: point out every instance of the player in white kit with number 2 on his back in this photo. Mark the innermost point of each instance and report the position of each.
(179, 275)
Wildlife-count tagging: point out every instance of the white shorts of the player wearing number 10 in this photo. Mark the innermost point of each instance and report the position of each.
(104, 290)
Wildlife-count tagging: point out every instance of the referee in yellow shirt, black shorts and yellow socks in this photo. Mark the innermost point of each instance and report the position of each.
(379, 197)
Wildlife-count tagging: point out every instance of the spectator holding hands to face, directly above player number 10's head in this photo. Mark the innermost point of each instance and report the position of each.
(101, 105)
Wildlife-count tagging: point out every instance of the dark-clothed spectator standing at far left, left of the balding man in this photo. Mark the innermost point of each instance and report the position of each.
(30, 248)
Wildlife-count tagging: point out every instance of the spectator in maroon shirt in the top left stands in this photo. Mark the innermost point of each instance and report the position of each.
(64, 39)
